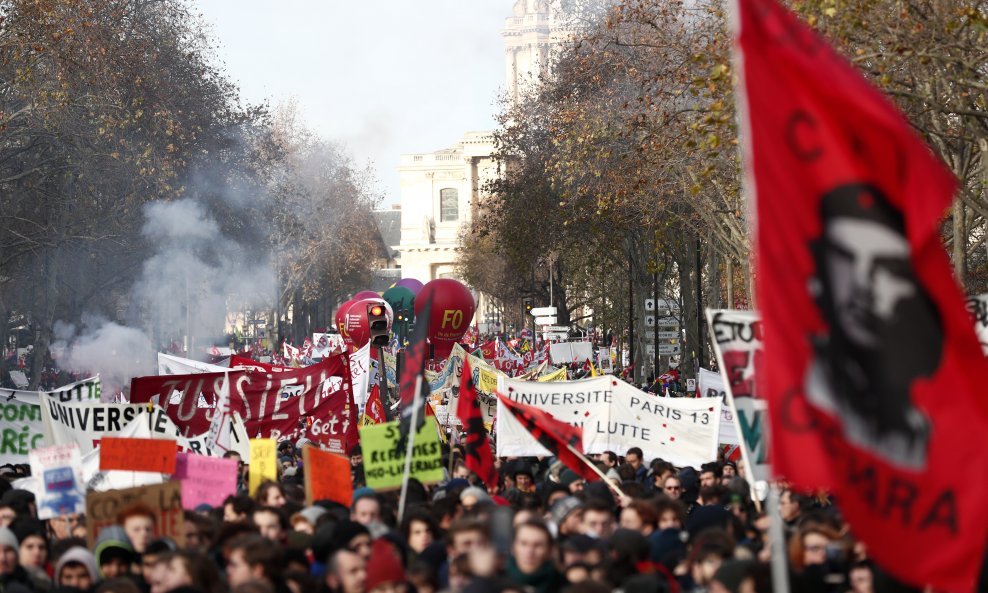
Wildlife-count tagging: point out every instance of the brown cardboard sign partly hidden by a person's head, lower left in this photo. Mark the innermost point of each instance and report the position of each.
(165, 500)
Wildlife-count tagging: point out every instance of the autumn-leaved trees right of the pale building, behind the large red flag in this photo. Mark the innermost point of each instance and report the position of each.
(623, 163)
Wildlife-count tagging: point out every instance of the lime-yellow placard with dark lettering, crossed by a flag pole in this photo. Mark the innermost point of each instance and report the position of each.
(384, 465)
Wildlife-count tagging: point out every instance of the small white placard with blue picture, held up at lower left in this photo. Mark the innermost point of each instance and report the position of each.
(58, 486)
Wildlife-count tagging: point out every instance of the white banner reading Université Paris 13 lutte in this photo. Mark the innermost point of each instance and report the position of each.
(614, 416)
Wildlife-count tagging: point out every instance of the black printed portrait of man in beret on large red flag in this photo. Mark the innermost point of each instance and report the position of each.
(883, 331)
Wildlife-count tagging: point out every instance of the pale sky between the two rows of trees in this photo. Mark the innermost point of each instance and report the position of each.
(384, 77)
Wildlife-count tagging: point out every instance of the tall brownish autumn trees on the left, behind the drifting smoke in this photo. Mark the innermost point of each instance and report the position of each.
(106, 107)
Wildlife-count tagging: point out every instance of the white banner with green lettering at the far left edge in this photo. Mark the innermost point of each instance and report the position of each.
(21, 429)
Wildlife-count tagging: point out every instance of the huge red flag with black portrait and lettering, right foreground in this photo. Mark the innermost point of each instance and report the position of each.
(872, 371)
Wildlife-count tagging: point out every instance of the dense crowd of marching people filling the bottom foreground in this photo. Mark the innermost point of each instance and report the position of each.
(543, 529)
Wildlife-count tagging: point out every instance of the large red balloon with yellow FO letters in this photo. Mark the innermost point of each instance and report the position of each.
(452, 311)
